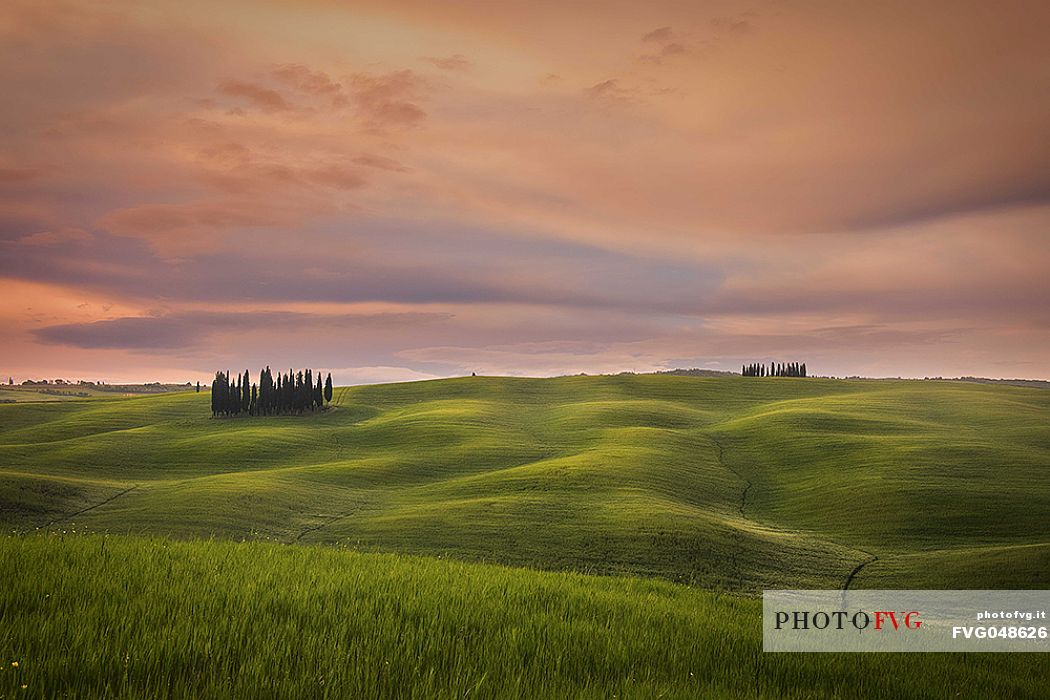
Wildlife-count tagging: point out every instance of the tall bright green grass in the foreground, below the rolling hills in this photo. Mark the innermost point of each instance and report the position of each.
(95, 617)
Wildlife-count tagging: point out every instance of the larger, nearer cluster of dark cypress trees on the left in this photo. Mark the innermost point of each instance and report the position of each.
(293, 393)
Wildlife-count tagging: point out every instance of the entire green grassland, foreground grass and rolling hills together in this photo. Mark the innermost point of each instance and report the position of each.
(709, 490)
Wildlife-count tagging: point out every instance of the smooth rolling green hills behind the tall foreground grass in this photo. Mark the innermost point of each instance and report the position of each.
(727, 483)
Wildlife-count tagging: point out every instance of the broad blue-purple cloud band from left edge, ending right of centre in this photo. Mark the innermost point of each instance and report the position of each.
(446, 268)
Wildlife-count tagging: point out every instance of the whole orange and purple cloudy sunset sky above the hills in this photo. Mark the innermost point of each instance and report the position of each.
(408, 189)
